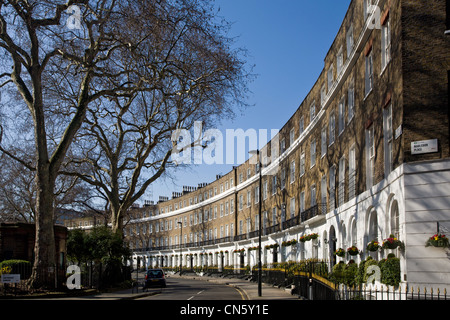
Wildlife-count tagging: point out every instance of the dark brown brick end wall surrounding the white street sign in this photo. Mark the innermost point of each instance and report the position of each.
(426, 61)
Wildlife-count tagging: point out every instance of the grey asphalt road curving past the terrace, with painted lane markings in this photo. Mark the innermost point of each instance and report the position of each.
(187, 289)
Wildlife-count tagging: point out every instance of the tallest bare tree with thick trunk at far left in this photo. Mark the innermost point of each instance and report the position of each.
(55, 72)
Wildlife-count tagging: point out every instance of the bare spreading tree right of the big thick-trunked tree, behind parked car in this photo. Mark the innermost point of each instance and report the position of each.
(191, 74)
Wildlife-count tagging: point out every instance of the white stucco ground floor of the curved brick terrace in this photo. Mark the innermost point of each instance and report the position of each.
(412, 204)
